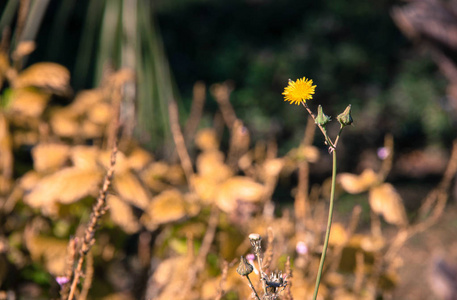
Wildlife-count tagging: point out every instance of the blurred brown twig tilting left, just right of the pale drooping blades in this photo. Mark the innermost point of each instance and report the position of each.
(178, 138)
